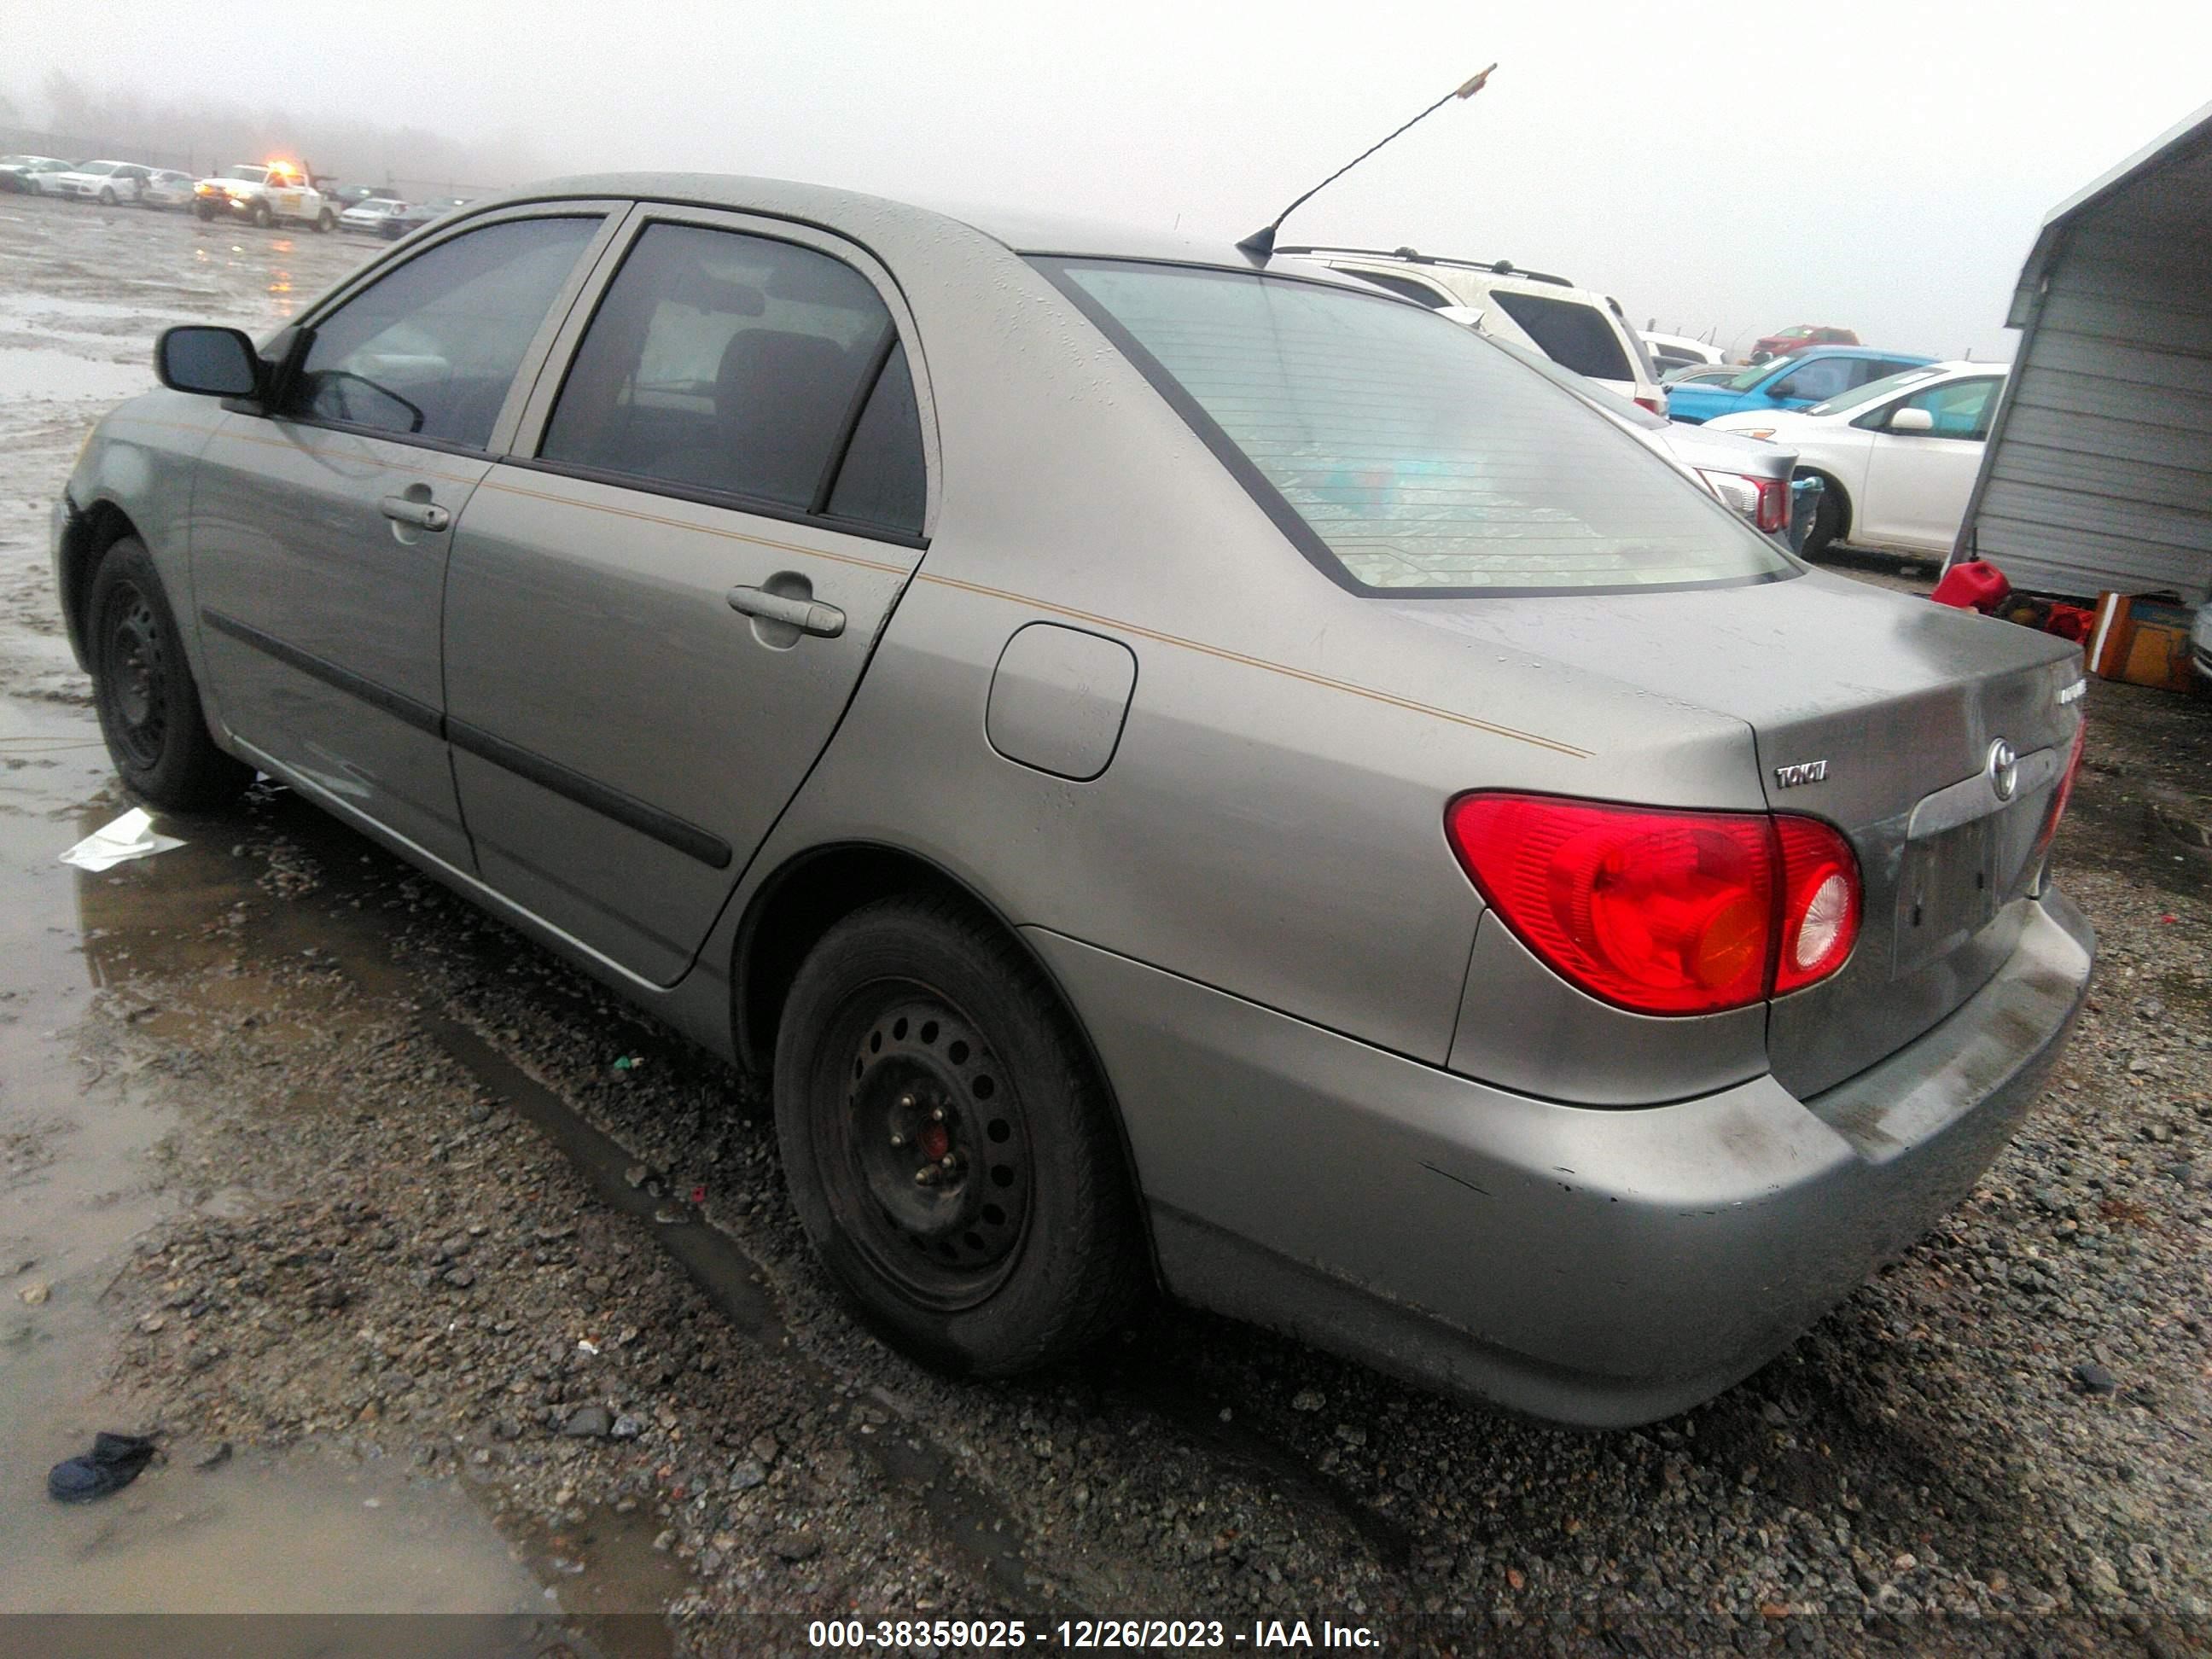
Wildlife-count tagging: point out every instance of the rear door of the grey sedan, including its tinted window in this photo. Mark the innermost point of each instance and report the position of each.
(660, 609)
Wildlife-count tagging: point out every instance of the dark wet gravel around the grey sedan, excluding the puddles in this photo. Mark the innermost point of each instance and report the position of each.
(486, 1224)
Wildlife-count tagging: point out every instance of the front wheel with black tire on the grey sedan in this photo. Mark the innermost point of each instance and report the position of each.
(143, 687)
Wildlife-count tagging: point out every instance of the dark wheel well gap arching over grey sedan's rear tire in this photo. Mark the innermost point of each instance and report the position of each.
(817, 890)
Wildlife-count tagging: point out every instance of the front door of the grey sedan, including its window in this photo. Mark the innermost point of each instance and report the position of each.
(322, 525)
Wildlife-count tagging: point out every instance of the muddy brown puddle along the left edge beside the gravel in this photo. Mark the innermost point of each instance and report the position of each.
(83, 1173)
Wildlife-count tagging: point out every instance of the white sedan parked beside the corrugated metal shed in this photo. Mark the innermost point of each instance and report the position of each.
(1897, 457)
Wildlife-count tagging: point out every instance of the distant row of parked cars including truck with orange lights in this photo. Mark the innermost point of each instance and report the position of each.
(262, 194)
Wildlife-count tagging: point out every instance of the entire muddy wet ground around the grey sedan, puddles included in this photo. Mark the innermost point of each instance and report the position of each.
(452, 1286)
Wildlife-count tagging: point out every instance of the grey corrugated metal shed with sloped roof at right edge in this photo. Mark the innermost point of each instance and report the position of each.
(2098, 474)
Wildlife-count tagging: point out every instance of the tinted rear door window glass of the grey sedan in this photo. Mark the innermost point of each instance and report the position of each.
(735, 366)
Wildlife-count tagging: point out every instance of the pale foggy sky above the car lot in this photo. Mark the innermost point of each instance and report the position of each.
(1722, 165)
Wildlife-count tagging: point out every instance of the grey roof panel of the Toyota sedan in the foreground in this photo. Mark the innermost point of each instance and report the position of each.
(1027, 233)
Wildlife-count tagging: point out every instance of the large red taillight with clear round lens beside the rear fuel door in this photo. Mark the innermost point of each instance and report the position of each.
(1665, 912)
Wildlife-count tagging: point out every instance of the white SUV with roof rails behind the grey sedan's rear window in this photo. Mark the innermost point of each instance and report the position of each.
(1574, 326)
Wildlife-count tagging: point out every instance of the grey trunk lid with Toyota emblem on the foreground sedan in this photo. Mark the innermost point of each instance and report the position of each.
(1879, 713)
